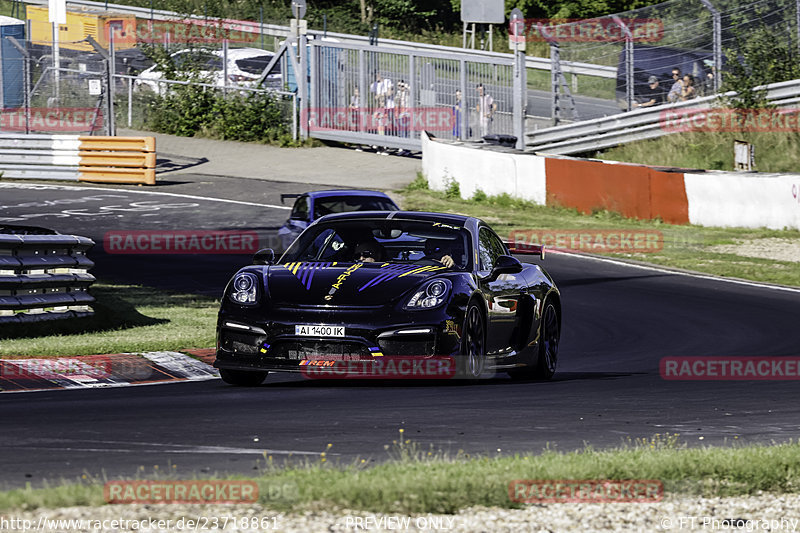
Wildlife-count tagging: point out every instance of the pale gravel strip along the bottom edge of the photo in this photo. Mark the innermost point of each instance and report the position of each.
(765, 512)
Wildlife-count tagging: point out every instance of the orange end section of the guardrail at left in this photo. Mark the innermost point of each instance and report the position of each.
(118, 160)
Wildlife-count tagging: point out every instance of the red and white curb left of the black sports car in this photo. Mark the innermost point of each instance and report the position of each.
(99, 371)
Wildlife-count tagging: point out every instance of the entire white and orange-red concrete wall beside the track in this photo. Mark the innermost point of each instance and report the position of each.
(706, 198)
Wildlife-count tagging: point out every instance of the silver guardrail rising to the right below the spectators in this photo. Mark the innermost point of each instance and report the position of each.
(637, 125)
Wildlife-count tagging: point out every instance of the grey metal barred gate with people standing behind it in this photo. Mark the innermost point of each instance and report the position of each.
(386, 97)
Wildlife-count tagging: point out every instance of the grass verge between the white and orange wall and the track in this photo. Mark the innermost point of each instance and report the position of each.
(684, 246)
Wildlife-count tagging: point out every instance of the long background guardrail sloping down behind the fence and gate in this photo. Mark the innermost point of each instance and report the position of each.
(247, 26)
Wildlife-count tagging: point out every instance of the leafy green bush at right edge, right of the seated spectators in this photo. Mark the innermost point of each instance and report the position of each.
(758, 58)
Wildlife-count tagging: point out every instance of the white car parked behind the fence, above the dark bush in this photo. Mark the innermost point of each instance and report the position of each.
(245, 66)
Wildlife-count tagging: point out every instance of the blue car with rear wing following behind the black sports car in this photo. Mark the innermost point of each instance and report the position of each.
(310, 206)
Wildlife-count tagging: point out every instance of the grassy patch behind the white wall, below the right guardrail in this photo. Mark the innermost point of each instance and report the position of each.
(774, 152)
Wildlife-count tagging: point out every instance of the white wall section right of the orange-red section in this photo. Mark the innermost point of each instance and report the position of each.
(732, 199)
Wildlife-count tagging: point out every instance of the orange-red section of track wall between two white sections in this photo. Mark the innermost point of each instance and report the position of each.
(634, 191)
